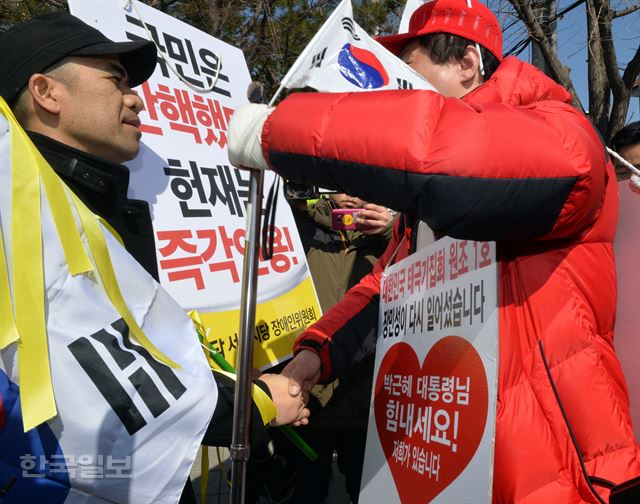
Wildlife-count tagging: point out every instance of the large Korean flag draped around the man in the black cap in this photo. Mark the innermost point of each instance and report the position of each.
(97, 401)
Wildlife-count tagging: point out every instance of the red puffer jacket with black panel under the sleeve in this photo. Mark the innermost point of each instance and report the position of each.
(515, 163)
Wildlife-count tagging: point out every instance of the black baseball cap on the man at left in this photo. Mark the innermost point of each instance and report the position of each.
(35, 45)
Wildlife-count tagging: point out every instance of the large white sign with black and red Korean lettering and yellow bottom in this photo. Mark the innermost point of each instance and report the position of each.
(198, 199)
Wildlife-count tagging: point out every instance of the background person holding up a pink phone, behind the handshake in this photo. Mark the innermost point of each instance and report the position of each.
(338, 259)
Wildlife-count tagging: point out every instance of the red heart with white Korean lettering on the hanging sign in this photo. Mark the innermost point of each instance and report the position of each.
(430, 419)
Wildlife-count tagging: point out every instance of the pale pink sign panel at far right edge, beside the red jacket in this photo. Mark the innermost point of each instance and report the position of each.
(627, 330)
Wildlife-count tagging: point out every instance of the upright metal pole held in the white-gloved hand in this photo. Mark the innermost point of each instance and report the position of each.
(240, 448)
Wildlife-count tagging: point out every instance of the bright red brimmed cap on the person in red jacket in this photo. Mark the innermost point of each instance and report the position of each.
(451, 16)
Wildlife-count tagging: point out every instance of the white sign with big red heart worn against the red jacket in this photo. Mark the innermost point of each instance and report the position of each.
(431, 432)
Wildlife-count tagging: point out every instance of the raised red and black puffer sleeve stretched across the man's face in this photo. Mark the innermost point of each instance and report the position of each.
(489, 170)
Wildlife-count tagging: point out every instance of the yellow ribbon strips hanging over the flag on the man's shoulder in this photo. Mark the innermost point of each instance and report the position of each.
(27, 301)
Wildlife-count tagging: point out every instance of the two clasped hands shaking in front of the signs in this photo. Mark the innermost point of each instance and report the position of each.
(290, 389)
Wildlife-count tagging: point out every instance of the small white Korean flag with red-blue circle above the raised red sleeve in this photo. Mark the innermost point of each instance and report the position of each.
(342, 57)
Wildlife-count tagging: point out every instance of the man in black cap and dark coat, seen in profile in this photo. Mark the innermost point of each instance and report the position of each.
(69, 86)
